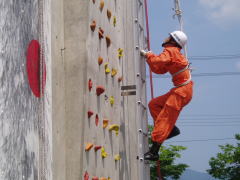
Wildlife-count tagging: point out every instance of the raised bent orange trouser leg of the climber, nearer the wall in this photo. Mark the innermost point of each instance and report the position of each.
(156, 105)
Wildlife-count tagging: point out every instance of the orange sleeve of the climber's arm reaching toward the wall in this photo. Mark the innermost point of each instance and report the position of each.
(158, 63)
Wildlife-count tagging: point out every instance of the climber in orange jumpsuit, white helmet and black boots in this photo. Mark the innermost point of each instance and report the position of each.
(166, 108)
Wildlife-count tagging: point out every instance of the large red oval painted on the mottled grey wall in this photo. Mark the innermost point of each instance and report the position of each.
(34, 69)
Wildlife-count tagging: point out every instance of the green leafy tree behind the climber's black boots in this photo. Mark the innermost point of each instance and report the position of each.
(168, 155)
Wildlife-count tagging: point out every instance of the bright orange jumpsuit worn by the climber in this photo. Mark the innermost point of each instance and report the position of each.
(166, 109)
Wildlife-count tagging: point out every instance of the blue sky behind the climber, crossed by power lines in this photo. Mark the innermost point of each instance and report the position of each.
(213, 29)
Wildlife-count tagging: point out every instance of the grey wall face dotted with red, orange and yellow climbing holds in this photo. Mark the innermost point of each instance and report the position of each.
(111, 128)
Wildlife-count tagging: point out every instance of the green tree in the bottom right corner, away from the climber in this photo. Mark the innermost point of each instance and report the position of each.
(226, 165)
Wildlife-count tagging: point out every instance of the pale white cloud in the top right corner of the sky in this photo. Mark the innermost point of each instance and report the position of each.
(222, 11)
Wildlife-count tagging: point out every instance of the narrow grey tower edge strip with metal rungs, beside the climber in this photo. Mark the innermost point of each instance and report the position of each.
(140, 71)
